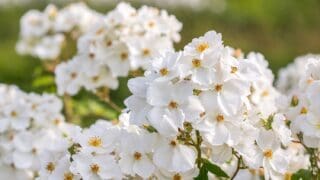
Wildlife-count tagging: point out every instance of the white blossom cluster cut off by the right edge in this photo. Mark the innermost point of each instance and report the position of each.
(301, 102)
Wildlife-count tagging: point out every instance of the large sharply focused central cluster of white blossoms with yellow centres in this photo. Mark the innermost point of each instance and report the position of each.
(212, 93)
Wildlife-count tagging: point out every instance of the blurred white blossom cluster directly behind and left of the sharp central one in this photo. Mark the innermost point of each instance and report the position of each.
(125, 40)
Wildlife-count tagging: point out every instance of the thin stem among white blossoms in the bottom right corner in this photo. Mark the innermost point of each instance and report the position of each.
(313, 159)
